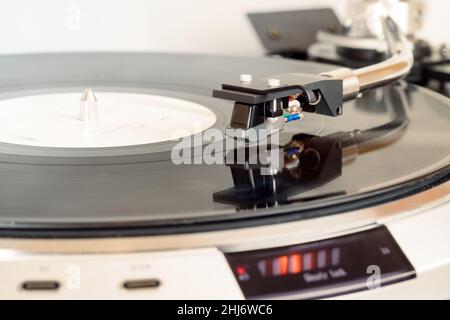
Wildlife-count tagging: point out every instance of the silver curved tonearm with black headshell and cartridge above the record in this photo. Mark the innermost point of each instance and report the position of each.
(260, 103)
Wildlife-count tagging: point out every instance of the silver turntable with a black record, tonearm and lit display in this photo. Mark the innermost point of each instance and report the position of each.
(334, 199)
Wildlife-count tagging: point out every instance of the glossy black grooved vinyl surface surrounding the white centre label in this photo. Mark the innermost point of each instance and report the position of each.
(409, 130)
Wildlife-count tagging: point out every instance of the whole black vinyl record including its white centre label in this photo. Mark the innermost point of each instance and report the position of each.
(61, 184)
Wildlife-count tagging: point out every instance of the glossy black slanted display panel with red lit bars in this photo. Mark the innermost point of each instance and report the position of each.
(328, 268)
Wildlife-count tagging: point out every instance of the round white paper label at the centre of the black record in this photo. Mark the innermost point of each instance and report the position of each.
(124, 119)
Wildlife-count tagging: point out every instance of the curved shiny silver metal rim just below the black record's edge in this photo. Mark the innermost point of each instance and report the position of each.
(245, 238)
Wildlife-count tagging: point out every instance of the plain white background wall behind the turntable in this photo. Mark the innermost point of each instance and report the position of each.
(207, 26)
